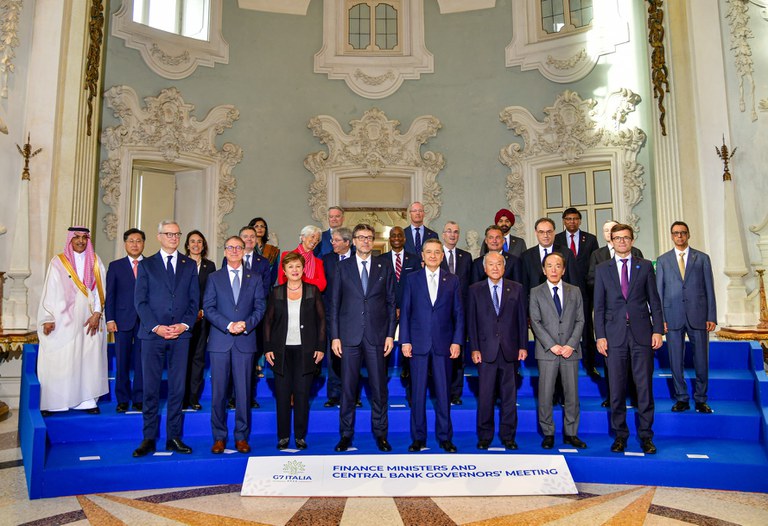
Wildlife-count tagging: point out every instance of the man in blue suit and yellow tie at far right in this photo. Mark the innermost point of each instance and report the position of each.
(686, 287)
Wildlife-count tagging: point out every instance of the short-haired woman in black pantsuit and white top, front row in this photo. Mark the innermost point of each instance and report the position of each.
(294, 339)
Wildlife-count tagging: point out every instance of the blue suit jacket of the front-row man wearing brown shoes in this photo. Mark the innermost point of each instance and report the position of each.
(220, 309)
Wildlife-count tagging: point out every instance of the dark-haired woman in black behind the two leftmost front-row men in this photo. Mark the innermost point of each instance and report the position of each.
(196, 248)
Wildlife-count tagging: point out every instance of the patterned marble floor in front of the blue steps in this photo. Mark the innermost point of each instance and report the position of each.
(222, 505)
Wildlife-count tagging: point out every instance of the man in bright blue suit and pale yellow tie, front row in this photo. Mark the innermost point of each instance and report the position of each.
(431, 333)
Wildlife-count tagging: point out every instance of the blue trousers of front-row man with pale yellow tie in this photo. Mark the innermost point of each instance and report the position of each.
(441, 376)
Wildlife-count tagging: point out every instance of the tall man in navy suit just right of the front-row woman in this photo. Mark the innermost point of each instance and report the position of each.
(363, 328)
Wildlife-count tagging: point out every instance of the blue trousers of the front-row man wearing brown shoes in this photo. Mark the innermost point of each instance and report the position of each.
(237, 366)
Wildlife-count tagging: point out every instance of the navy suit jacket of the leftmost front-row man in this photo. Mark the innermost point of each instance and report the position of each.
(159, 302)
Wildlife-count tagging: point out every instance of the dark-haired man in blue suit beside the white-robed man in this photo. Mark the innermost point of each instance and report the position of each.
(123, 321)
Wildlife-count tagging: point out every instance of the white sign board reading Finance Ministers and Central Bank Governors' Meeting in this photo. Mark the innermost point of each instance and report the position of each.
(407, 475)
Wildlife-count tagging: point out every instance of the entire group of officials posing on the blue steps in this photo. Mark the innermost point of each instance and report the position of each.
(336, 298)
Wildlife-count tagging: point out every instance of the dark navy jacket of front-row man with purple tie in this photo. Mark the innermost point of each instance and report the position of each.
(642, 308)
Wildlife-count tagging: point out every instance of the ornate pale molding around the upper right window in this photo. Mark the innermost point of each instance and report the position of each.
(568, 57)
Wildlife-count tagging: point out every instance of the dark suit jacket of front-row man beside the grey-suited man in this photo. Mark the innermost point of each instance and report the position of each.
(506, 333)
